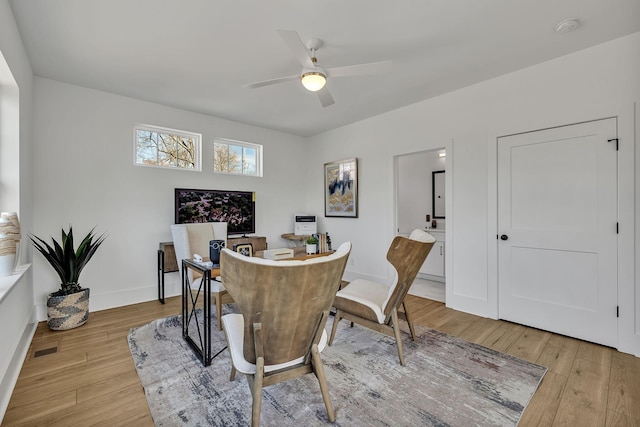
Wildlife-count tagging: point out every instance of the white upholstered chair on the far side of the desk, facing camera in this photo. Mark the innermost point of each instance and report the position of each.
(190, 239)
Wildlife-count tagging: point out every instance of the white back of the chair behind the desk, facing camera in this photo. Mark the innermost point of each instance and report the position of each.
(189, 239)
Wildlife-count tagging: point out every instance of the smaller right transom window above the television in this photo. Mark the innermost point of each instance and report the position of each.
(242, 158)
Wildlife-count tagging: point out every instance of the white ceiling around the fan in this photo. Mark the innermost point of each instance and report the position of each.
(198, 54)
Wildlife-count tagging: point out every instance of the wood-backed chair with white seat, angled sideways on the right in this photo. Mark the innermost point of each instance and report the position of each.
(376, 305)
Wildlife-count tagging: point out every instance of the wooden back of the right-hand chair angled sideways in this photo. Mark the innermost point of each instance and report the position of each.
(406, 254)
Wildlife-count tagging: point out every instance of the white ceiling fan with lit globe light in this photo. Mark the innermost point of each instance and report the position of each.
(313, 76)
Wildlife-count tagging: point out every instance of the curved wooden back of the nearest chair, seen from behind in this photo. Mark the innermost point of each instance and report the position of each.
(290, 299)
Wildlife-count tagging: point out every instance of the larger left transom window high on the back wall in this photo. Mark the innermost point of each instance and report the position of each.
(167, 148)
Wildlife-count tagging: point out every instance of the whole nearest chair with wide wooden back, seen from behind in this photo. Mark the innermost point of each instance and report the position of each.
(284, 307)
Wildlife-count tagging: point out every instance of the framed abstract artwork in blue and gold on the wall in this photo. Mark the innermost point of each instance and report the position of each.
(341, 188)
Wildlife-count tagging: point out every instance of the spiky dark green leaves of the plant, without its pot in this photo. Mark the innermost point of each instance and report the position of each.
(67, 261)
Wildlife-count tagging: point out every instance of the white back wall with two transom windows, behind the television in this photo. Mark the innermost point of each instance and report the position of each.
(85, 177)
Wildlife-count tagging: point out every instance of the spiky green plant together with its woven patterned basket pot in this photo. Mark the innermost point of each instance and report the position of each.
(68, 307)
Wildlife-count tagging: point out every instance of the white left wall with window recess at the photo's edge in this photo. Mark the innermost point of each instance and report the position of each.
(16, 306)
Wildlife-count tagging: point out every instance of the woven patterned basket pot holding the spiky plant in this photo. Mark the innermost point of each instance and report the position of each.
(68, 311)
